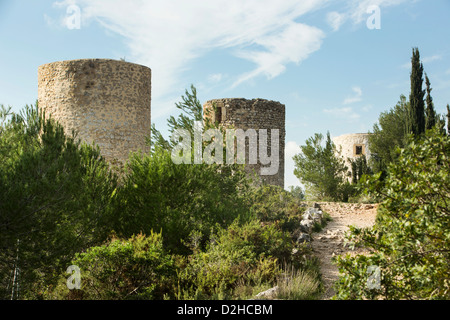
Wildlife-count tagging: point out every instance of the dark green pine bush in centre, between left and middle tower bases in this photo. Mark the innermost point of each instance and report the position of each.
(177, 199)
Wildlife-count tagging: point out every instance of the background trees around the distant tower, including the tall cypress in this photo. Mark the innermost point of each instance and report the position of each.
(322, 170)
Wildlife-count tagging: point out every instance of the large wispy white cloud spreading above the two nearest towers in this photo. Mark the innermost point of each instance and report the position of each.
(168, 35)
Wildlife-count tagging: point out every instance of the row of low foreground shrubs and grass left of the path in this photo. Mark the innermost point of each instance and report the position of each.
(236, 263)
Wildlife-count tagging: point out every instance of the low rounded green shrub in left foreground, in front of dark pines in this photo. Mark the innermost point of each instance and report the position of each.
(136, 268)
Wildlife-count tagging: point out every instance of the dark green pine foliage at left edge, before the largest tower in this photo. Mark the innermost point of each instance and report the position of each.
(54, 199)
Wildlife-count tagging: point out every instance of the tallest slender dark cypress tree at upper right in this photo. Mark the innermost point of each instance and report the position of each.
(416, 117)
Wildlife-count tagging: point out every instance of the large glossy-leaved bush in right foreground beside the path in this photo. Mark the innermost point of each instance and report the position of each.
(411, 238)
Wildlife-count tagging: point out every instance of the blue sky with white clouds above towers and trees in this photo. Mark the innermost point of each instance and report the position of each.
(317, 57)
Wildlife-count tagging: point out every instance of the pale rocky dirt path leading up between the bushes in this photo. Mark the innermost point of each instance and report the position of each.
(329, 241)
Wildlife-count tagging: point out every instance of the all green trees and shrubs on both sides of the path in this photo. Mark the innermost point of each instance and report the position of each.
(157, 230)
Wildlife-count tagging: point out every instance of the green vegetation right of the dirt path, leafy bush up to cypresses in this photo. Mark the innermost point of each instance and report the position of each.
(409, 245)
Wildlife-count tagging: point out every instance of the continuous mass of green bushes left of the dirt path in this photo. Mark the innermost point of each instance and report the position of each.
(152, 230)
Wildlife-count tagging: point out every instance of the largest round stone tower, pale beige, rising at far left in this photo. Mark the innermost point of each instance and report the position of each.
(106, 101)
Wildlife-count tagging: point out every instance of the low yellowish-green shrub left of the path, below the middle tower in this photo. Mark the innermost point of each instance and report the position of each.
(247, 253)
